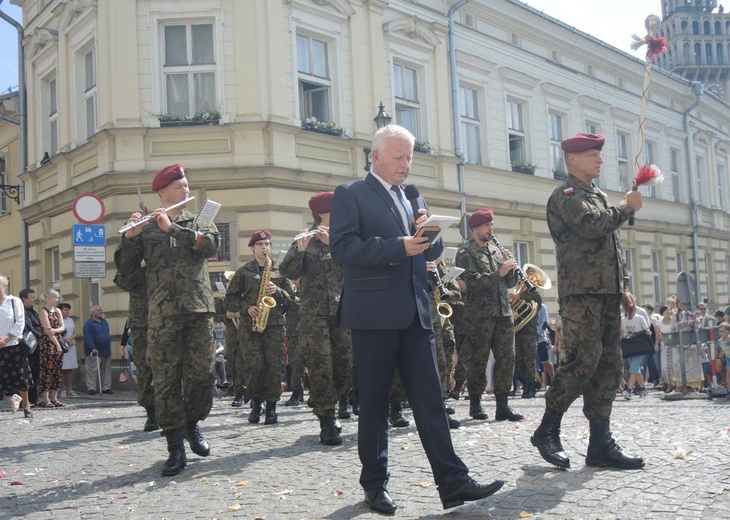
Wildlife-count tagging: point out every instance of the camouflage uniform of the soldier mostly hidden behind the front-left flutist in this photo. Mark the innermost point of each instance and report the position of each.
(135, 282)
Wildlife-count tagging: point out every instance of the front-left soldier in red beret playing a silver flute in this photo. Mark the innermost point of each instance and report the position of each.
(175, 249)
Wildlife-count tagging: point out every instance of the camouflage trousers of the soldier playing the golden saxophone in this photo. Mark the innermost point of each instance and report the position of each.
(262, 362)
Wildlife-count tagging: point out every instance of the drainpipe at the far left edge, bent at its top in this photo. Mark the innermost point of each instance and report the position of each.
(23, 130)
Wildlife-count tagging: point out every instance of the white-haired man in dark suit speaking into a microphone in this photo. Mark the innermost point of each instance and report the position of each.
(385, 304)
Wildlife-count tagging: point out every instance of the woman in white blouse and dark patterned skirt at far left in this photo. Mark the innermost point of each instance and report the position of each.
(15, 376)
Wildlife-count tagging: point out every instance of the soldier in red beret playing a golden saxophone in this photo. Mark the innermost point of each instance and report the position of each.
(261, 339)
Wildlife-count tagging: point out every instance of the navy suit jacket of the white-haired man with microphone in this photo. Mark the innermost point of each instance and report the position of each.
(383, 288)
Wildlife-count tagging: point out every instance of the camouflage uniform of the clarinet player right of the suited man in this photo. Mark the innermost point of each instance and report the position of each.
(488, 317)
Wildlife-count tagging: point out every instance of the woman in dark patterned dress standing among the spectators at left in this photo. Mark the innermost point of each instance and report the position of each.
(51, 353)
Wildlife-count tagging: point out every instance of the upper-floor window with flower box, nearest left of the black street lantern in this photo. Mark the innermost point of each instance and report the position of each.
(314, 78)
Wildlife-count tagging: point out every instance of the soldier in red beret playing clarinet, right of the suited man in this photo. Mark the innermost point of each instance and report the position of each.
(488, 274)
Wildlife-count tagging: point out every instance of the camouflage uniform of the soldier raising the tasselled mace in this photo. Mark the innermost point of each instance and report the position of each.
(591, 278)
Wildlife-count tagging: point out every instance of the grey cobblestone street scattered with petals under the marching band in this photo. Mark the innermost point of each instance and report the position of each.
(91, 460)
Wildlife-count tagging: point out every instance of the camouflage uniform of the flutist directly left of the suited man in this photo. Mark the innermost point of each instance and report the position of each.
(327, 348)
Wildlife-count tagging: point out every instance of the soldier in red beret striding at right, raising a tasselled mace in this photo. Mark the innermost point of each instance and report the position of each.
(593, 285)
